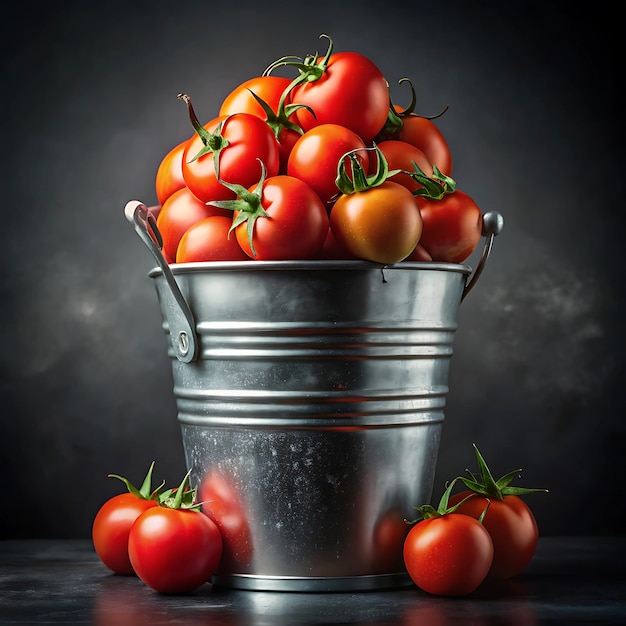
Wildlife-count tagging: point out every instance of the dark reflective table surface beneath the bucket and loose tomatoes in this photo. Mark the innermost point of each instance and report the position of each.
(571, 580)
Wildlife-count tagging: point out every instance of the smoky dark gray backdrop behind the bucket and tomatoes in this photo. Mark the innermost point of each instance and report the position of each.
(89, 108)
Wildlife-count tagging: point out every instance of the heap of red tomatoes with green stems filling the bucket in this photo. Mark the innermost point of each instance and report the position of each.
(320, 166)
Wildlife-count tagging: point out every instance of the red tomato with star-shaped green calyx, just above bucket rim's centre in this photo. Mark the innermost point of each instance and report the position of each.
(296, 224)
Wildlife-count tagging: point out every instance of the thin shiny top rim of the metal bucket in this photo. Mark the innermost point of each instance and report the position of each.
(316, 264)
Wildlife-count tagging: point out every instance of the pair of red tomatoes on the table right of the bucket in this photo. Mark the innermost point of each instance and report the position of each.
(485, 532)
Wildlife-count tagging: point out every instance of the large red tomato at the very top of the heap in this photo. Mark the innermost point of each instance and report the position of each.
(351, 92)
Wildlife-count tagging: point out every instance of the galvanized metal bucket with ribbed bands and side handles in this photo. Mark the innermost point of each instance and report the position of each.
(311, 399)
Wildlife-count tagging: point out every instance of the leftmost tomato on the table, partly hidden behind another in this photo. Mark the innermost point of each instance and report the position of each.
(111, 528)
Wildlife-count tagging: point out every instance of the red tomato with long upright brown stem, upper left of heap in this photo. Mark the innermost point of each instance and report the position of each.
(249, 138)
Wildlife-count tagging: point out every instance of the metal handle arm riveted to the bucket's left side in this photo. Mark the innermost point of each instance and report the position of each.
(182, 326)
